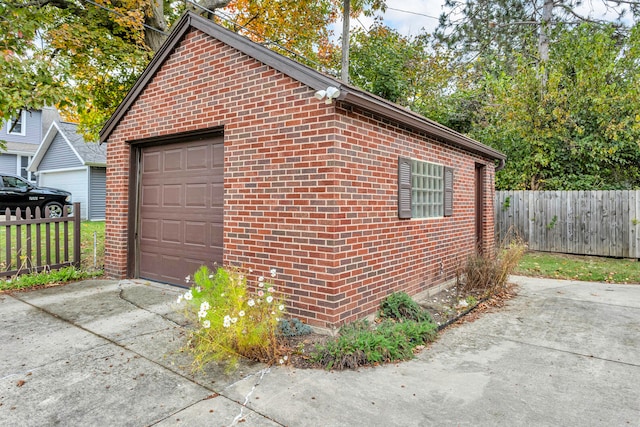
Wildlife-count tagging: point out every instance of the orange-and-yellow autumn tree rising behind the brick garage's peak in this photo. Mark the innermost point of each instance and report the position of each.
(84, 55)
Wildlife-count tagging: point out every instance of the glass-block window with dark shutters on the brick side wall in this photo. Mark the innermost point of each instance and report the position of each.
(425, 190)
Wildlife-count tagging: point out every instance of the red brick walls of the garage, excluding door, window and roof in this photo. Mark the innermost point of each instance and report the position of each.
(310, 188)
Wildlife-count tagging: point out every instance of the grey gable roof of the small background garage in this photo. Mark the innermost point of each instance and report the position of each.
(88, 153)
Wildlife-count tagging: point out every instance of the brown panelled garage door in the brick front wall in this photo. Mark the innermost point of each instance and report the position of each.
(181, 204)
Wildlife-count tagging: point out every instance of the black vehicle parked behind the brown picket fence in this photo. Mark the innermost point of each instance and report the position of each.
(16, 192)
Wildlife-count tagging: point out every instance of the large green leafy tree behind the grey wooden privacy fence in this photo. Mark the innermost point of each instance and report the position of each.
(575, 128)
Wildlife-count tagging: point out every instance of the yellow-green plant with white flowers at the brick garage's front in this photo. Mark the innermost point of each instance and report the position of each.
(232, 321)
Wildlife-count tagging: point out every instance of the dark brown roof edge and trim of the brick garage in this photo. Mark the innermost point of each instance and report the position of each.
(306, 75)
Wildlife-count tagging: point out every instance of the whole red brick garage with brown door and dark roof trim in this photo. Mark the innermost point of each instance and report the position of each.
(318, 191)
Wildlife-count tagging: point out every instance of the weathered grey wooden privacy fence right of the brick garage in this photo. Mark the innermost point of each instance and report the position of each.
(605, 223)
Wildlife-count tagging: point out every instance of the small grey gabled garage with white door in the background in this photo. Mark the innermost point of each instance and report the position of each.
(65, 161)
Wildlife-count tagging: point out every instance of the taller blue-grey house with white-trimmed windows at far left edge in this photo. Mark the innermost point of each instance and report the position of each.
(22, 138)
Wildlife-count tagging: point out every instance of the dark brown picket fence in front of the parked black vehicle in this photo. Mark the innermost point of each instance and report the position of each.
(33, 244)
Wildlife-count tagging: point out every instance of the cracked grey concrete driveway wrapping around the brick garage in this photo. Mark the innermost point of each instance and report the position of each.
(107, 353)
